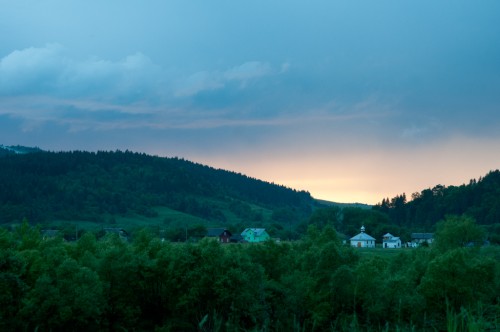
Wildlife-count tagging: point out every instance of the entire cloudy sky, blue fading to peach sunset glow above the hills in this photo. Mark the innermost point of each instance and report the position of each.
(353, 101)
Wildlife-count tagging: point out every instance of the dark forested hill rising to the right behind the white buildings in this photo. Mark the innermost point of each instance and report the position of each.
(479, 199)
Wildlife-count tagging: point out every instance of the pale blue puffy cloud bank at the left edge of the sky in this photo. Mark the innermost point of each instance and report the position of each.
(48, 70)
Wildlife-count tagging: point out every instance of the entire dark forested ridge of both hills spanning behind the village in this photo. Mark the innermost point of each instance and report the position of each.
(97, 186)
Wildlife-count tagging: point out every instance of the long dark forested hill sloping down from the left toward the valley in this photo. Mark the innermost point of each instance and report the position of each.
(84, 186)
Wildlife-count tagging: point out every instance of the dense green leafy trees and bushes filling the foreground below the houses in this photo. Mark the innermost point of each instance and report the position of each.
(316, 284)
